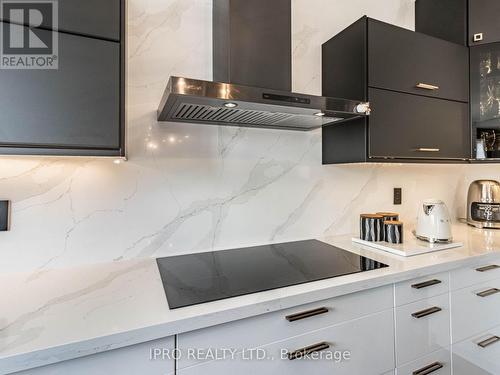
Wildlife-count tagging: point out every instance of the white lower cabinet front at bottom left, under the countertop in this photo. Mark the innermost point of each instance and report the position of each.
(131, 360)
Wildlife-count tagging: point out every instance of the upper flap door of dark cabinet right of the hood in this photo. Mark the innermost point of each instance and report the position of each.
(400, 60)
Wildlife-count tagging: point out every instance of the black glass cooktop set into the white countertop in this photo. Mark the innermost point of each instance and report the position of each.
(204, 277)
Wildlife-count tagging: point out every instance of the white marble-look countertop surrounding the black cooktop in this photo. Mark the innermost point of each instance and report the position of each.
(56, 315)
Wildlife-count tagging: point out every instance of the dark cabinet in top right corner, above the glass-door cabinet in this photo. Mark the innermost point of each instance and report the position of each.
(467, 22)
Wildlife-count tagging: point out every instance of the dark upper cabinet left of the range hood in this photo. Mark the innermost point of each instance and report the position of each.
(76, 108)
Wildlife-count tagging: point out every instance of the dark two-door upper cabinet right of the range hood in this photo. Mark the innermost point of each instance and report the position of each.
(418, 89)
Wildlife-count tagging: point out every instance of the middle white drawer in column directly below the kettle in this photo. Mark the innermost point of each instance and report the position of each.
(420, 330)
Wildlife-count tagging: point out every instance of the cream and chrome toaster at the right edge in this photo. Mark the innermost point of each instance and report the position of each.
(483, 204)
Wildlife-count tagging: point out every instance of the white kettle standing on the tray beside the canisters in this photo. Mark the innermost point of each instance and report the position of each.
(433, 222)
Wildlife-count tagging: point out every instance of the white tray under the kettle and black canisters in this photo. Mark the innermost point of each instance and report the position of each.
(410, 247)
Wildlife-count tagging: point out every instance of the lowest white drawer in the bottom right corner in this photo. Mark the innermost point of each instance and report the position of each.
(479, 355)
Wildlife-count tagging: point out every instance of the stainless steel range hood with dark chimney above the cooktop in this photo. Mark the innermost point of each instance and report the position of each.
(252, 73)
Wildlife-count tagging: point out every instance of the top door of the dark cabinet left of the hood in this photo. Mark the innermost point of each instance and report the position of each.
(97, 18)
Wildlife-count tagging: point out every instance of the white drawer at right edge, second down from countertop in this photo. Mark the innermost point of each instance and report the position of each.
(475, 309)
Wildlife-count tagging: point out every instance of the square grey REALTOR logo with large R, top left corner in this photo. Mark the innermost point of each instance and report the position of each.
(27, 41)
